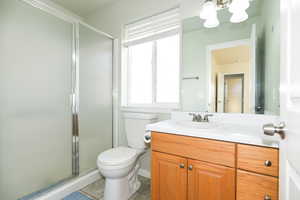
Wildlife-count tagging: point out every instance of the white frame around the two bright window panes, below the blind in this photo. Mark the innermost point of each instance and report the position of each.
(126, 76)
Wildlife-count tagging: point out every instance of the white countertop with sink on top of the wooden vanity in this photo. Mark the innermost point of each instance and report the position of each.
(230, 132)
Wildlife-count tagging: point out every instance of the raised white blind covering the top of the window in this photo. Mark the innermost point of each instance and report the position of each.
(153, 28)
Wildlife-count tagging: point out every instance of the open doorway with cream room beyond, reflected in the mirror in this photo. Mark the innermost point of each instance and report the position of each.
(231, 78)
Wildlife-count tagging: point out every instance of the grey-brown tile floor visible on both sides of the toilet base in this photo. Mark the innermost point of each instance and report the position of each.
(95, 191)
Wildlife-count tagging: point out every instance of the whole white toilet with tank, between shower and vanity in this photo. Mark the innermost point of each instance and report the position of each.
(120, 165)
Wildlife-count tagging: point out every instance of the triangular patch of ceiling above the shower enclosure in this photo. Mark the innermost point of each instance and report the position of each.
(82, 7)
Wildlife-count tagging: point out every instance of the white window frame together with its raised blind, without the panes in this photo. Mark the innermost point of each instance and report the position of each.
(164, 24)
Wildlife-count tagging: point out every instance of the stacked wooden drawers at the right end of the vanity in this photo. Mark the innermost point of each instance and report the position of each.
(257, 173)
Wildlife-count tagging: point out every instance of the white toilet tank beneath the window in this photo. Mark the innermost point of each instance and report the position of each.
(135, 124)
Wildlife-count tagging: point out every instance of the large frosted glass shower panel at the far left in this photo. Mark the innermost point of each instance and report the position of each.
(35, 111)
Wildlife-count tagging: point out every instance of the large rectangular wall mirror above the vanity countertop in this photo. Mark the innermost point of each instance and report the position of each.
(233, 67)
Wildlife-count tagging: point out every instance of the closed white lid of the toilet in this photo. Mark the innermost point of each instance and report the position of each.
(117, 156)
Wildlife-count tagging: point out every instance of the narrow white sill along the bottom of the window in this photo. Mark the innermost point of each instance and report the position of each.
(162, 110)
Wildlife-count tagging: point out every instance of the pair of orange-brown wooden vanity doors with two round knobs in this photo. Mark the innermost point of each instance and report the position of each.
(178, 178)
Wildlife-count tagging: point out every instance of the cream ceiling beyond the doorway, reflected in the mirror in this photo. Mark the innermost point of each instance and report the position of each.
(232, 55)
